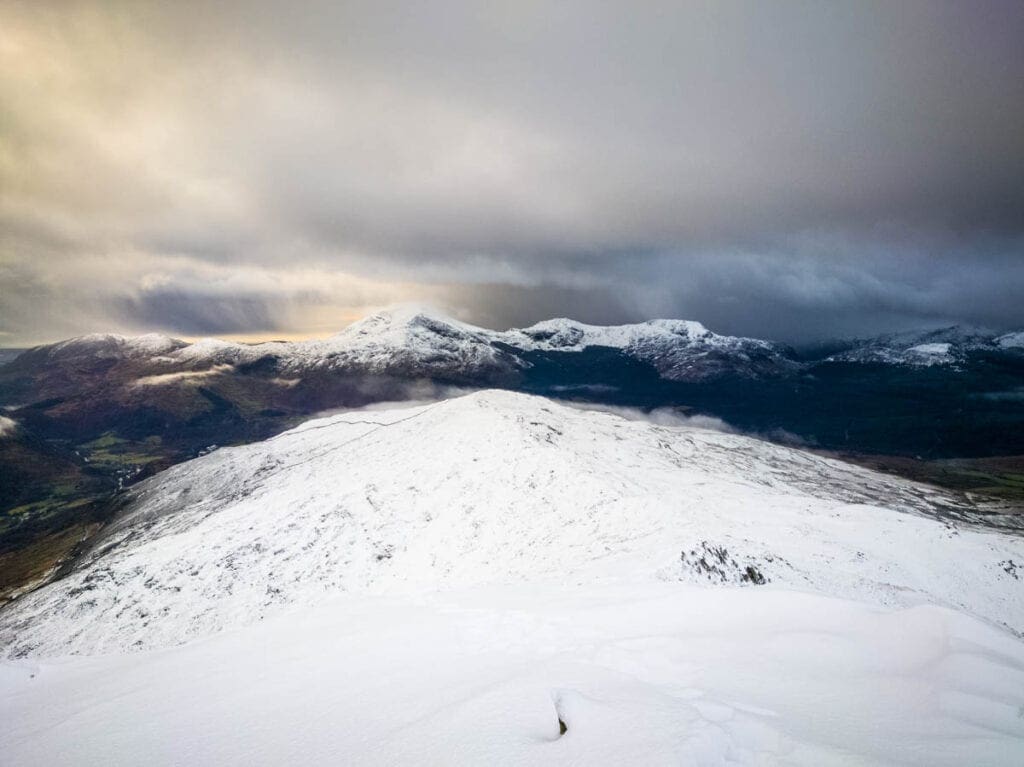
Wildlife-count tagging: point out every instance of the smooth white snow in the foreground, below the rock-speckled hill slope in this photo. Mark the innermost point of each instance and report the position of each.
(652, 674)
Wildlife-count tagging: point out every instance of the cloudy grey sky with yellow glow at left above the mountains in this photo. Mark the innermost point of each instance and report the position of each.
(788, 171)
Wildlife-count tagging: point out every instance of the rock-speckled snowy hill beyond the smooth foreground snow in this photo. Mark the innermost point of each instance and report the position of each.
(499, 488)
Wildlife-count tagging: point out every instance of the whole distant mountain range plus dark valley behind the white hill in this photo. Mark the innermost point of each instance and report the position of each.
(88, 417)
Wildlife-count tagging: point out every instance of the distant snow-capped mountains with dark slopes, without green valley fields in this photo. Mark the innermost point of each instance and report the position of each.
(965, 383)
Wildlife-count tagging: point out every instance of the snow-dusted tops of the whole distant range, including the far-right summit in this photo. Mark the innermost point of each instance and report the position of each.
(415, 340)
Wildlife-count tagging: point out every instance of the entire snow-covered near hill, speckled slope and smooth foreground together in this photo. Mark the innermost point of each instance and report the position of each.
(501, 580)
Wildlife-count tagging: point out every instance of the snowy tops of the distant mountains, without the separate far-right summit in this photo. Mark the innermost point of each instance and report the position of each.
(410, 342)
